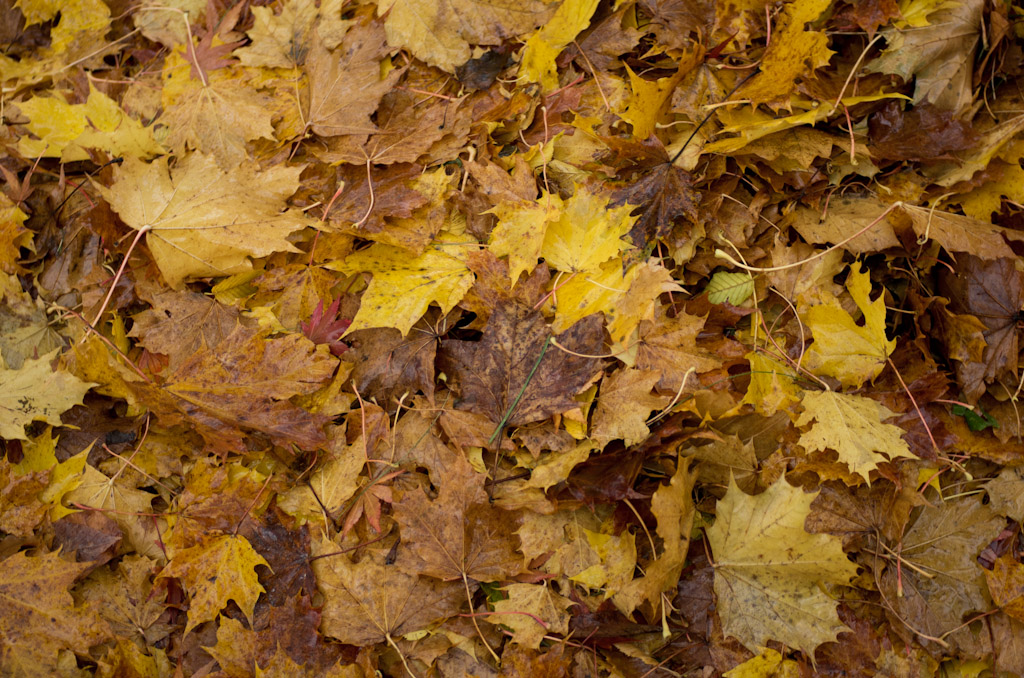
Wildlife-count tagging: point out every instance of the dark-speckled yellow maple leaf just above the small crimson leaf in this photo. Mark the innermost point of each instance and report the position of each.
(403, 288)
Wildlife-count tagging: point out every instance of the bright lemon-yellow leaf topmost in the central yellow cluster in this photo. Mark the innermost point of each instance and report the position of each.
(587, 234)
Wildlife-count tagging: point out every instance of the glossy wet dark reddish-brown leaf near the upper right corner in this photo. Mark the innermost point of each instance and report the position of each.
(924, 134)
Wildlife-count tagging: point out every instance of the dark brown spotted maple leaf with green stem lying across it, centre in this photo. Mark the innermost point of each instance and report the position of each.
(506, 374)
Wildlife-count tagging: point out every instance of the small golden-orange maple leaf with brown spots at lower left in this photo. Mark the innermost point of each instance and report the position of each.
(218, 570)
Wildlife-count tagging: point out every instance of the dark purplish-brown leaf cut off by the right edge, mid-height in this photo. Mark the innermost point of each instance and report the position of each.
(992, 291)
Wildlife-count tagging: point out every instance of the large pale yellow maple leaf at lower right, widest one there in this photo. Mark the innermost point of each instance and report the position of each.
(770, 571)
